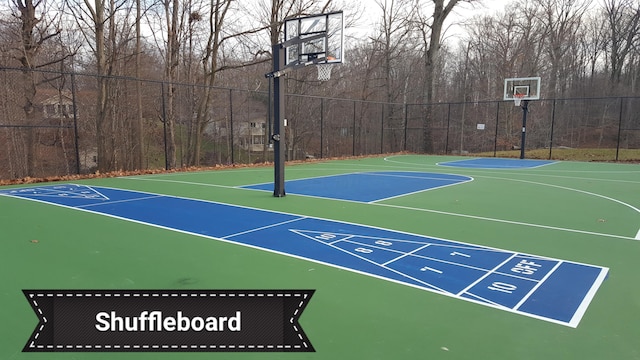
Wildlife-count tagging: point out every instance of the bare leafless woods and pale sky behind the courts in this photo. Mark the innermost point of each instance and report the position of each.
(110, 85)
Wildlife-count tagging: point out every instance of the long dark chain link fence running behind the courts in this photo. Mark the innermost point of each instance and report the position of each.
(56, 124)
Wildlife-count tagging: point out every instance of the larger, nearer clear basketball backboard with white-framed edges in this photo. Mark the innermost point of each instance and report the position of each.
(319, 49)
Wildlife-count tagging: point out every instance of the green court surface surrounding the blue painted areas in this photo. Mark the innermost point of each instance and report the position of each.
(581, 212)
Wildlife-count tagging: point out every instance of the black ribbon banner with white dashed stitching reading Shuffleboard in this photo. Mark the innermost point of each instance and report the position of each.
(168, 320)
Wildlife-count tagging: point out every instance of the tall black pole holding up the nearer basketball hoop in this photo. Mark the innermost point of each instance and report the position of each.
(278, 136)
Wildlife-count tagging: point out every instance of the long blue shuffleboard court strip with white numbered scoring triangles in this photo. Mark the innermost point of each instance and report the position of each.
(544, 288)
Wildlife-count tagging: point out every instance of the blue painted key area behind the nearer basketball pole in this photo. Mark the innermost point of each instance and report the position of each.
(367, 186)
